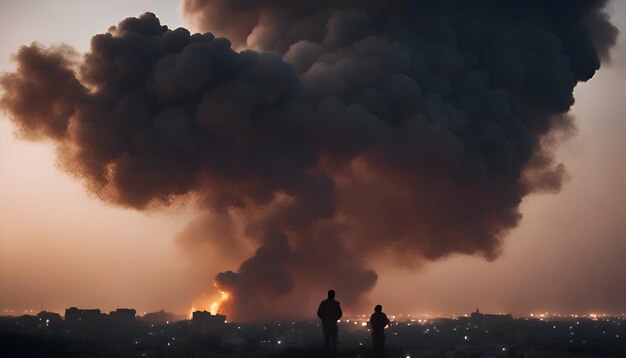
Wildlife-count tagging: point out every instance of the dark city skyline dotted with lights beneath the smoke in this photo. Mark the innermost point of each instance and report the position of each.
(124, 333)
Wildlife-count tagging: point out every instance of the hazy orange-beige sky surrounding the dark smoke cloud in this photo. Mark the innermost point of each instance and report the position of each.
(61, 246)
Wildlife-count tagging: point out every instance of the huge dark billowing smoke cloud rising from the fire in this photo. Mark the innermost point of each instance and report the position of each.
(327, 134)
